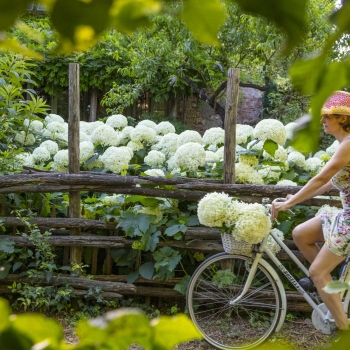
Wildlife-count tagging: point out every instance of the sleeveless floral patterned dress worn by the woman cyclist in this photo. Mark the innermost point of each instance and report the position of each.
(336, 227)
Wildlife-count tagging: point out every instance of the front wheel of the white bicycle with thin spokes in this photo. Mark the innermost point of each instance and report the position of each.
(226, 325)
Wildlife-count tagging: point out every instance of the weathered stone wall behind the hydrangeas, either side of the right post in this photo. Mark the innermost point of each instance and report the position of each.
(200, 116)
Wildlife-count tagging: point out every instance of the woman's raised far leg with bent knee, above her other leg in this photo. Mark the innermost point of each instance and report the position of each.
(306, 235)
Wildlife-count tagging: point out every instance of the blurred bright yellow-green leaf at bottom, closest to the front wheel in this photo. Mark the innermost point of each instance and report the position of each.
(177, 329)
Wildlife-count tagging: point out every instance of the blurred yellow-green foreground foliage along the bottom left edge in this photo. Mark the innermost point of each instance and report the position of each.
(116, 330)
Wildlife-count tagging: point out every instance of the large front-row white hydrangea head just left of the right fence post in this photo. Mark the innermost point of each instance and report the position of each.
(190, 156)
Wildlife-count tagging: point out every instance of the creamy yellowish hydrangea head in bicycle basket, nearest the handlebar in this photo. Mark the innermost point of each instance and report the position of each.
(253, 224)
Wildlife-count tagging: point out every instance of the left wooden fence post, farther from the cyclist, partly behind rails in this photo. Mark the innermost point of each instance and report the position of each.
(73, 147)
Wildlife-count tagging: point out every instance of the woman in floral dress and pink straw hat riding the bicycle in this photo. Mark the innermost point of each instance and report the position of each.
(334, 231)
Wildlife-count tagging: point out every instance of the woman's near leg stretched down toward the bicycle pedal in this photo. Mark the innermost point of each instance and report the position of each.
(320, 271)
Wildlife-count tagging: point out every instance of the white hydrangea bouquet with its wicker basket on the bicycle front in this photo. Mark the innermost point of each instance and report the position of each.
(241, 224)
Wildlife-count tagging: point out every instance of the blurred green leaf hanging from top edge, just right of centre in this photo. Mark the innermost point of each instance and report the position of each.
(204, 18)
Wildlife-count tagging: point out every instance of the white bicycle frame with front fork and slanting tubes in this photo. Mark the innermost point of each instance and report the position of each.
(258, 258)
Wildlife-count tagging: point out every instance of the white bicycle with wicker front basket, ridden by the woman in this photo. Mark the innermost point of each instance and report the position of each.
(237, 300)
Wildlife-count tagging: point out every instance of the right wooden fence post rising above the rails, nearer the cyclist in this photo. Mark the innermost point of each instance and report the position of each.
(232, 93)
